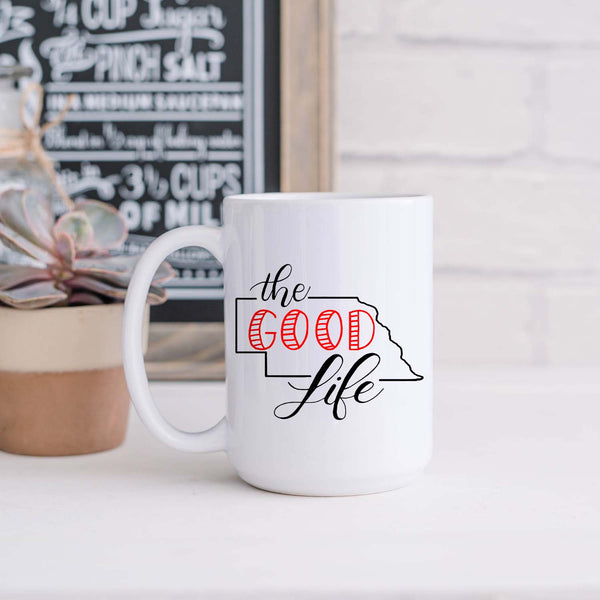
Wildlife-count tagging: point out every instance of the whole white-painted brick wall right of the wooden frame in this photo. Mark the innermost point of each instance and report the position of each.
(494, 109)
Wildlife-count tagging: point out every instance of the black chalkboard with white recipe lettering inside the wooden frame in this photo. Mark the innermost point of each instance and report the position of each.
(176, 106)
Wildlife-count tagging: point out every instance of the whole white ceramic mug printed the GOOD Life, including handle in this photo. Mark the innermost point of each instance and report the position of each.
(328, 321)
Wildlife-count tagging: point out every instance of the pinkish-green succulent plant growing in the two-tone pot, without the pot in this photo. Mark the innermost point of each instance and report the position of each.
(65, 261)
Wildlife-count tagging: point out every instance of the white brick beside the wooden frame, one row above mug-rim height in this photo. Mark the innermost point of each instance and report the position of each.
(420, 102)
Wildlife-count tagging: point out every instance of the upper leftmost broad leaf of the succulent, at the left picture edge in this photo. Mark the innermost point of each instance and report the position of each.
(29, 214)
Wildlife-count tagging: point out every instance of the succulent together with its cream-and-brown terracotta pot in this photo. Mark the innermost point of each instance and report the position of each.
(62, 388)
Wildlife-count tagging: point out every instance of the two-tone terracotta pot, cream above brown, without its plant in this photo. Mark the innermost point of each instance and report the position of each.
(62, 387)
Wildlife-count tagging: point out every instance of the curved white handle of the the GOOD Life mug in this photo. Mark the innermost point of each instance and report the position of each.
(212, 439)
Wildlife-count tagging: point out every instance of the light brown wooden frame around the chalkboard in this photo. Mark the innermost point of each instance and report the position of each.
(191, 351)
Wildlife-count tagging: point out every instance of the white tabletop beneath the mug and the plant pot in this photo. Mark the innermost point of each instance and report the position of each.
(509, 508)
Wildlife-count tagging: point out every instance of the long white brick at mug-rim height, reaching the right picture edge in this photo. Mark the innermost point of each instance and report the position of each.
(496, 220)
